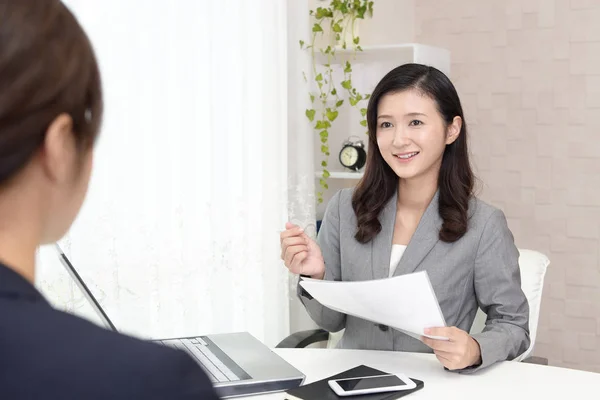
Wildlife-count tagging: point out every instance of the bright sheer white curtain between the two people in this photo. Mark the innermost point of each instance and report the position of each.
(180, 231)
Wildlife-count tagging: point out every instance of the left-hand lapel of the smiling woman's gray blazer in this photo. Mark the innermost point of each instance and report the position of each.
(381, 249)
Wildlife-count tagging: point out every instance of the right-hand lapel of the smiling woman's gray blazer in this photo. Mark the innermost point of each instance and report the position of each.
(423, 240)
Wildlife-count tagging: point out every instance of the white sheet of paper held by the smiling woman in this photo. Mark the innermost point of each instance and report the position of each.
(406, 302)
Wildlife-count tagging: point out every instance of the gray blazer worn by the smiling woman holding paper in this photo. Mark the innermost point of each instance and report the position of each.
(479, 270)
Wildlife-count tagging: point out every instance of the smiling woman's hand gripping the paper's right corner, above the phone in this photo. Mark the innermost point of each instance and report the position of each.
(460, 351)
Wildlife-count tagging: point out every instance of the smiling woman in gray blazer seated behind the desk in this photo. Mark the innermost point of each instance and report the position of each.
(415, 210)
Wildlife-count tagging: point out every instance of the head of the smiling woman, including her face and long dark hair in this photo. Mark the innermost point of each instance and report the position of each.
(413, 110)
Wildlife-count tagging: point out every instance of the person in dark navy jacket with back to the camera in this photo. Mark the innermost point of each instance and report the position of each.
(50, 113)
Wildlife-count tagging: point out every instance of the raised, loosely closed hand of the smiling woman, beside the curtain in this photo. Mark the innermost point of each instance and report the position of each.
(301, 254)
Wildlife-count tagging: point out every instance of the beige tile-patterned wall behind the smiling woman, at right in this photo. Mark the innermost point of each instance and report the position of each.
(528, 72)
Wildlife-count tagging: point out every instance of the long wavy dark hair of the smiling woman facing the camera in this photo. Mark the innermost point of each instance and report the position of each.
(455, 181)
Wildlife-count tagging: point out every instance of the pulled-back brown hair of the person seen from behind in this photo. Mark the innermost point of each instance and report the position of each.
(47, 67)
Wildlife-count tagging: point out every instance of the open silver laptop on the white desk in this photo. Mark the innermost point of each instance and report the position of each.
(238, 364)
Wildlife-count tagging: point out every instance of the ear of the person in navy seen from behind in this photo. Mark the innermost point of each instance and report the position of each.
(59, 149)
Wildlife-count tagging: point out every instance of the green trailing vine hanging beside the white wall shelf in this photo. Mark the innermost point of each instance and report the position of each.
(340, 18)
